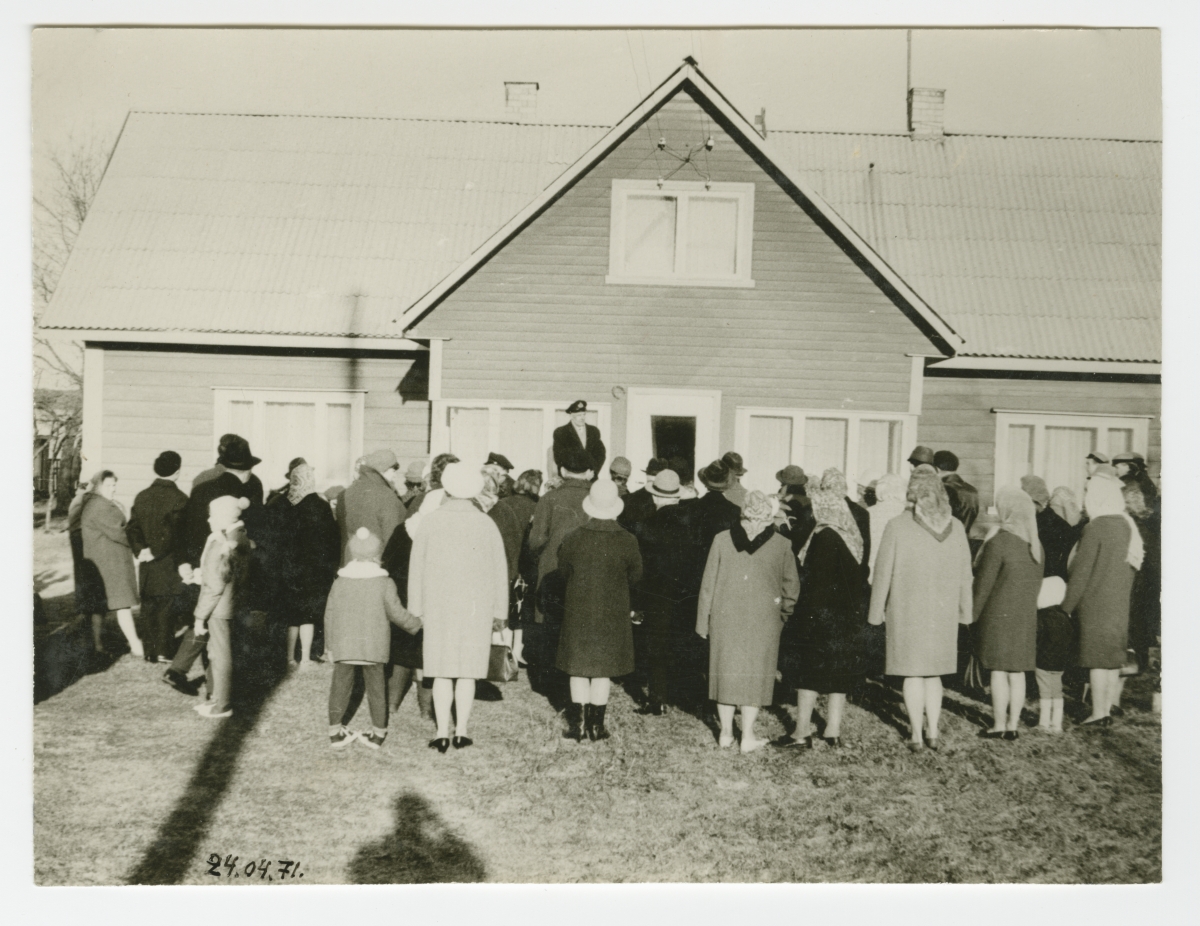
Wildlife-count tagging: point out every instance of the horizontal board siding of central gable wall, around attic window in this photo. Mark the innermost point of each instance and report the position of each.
(539, 322)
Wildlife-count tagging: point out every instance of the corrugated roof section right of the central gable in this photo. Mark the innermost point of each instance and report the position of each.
(1030, 248)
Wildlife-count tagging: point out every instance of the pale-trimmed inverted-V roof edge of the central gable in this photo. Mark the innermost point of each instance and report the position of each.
(689, 77)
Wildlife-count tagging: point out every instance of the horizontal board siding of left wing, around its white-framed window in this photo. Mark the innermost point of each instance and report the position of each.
(158, 401)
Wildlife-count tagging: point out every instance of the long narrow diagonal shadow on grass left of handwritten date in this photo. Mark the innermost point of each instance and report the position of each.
(169, 858)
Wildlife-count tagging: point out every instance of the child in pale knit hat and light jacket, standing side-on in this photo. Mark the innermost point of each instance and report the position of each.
(223, 572)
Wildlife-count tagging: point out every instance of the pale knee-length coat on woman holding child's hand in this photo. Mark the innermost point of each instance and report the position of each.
(458, 586)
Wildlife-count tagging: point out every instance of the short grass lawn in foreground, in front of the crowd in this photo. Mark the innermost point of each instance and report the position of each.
(131, 785)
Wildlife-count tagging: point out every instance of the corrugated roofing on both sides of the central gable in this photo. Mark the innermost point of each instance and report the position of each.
(1035, 248)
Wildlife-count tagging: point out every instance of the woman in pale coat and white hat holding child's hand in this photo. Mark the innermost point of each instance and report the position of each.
(459, 587)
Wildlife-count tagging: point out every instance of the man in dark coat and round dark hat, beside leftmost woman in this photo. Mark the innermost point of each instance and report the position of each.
(154, 534)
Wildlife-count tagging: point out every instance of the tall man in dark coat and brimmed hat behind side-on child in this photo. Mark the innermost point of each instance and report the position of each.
(236, 464)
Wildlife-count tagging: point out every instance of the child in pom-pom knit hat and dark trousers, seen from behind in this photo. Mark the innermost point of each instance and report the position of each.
(358, 611)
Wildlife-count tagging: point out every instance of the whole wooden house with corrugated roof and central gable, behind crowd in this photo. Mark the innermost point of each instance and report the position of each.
(332, 286)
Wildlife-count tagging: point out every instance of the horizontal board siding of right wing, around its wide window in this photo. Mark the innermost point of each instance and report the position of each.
(958, 416)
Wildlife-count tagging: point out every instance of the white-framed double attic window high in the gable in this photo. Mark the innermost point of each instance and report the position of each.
(685, 234)
